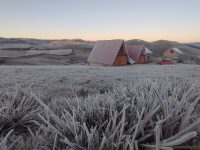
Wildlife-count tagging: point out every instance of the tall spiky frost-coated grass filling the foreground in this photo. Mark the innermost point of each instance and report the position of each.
(144, 114)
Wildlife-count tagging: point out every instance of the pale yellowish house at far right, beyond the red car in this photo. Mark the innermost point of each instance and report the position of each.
(174, 54)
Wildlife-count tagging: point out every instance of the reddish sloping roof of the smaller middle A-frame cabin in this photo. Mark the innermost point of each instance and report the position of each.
(134, 51)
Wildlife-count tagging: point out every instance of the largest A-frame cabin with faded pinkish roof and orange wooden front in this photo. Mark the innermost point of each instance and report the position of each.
(108, 53)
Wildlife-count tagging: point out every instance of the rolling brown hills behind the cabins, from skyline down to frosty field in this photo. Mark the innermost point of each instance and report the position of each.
(20, 46)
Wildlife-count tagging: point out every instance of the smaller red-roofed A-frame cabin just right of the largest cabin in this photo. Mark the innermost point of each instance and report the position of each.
(139, 53)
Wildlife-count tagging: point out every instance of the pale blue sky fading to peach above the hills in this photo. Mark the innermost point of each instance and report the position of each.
(150, 20)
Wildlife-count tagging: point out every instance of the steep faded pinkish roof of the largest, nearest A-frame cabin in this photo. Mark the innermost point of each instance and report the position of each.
(105, 52)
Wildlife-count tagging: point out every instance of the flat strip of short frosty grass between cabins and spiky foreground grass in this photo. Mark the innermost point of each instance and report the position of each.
(60, 78)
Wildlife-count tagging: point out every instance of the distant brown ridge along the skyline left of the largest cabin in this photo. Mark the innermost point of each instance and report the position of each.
(23, 43)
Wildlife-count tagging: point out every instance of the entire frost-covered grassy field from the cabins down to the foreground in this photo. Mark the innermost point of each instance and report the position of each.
(81, 107)
